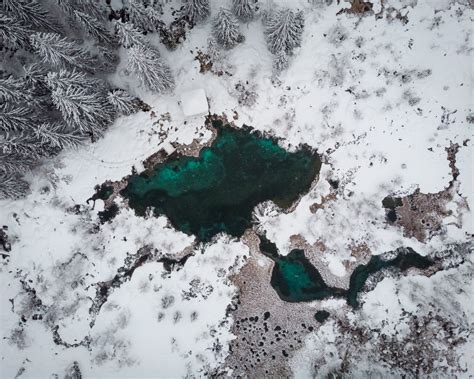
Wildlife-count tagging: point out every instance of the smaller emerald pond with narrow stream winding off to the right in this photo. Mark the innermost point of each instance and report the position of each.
(295, 279)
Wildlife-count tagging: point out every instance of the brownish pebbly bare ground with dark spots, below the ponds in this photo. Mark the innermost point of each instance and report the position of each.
(268, 330)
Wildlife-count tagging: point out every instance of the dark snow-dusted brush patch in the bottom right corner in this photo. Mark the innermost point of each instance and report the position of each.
(415, 354)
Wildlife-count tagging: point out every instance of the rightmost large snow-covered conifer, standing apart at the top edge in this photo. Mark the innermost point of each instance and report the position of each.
(284, 30)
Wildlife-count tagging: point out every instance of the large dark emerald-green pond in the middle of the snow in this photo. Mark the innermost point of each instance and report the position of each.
(217, 191)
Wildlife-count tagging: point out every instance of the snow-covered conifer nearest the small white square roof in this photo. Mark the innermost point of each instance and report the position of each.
(153, 73)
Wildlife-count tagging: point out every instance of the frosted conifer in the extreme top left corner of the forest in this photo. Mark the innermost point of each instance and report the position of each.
(30, 13)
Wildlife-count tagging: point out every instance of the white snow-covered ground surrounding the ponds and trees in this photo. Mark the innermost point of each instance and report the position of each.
(381, 101)
